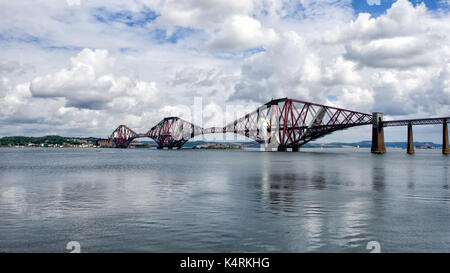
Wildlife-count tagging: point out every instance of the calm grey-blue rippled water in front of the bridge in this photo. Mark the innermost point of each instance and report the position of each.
(142, 200)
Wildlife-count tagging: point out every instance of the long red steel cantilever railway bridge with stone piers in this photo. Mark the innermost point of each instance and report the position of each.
(280, 124)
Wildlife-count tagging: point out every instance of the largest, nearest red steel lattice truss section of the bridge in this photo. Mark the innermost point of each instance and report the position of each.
(289, 123)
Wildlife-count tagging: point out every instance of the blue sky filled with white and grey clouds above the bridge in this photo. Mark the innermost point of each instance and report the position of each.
(83, 67)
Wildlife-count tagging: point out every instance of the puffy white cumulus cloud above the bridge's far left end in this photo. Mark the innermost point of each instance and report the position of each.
(89, 84)
